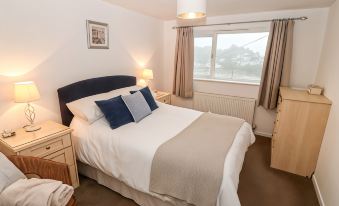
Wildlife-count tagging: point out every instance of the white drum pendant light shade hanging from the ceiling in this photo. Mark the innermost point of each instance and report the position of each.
(191, 9)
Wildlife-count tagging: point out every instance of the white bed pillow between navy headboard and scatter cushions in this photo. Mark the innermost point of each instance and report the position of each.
(86, 108)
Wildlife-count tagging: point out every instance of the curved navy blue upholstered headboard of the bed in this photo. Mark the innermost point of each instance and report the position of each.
(87, 88)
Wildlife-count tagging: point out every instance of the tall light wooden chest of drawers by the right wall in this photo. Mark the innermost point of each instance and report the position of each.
(299, 130)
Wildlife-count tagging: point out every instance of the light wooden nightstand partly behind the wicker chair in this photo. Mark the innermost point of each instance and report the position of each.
(53, 141)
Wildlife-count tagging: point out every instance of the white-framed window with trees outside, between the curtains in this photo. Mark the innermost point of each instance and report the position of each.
(235, 57)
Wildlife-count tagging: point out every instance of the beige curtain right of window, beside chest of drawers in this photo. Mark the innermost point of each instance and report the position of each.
(277, 63)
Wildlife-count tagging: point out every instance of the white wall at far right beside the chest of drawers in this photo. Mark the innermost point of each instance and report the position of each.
(328, 76)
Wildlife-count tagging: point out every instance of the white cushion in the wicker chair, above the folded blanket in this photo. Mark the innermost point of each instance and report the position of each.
(9, 173)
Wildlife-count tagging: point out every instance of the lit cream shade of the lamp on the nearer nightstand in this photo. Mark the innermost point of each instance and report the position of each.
(25, 92)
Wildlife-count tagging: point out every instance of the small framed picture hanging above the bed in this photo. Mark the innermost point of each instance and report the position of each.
(97, 34)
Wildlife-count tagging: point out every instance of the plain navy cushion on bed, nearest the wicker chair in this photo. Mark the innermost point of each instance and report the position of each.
(115, 111)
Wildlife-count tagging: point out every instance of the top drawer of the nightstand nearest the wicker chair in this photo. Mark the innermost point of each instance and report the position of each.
(48, 147)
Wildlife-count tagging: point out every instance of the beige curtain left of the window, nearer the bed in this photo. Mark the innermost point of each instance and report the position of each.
(184, 63)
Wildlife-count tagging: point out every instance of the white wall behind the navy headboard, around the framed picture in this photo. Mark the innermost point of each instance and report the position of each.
(46, 41)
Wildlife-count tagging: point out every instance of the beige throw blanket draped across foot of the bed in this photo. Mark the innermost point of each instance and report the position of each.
(190, 166)
